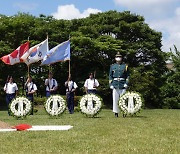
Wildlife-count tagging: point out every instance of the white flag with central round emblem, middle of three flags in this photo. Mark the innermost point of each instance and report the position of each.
(36, 53)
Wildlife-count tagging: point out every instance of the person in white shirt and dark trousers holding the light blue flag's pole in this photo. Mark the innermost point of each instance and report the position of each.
(71, 87)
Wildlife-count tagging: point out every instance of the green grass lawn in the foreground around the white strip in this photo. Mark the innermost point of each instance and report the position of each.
(153, 131)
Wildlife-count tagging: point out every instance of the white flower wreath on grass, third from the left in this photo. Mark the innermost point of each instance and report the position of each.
(90, 104)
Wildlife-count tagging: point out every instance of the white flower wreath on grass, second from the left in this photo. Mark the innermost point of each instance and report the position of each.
(55, 105)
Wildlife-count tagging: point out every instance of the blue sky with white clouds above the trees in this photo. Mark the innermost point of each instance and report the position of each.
(161, 15)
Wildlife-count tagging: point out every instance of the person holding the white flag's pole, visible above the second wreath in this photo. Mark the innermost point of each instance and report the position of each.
(51, 85)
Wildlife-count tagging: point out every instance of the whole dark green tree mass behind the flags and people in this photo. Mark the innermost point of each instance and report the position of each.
(94, 42)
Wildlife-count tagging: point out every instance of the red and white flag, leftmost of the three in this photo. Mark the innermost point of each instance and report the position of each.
(14, 57)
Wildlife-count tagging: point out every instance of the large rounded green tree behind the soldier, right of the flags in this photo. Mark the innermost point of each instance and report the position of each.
(97, 39)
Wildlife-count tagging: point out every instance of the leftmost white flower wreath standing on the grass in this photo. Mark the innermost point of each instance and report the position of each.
(20, 106)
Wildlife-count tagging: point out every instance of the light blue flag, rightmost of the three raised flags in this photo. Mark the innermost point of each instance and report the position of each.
(60, 52)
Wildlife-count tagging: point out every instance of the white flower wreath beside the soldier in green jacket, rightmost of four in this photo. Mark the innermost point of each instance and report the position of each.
(130, 103)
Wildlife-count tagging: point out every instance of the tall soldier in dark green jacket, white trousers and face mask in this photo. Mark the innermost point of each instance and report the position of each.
(118, 80)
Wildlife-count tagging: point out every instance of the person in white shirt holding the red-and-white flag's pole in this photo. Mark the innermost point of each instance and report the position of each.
(30, 88)
